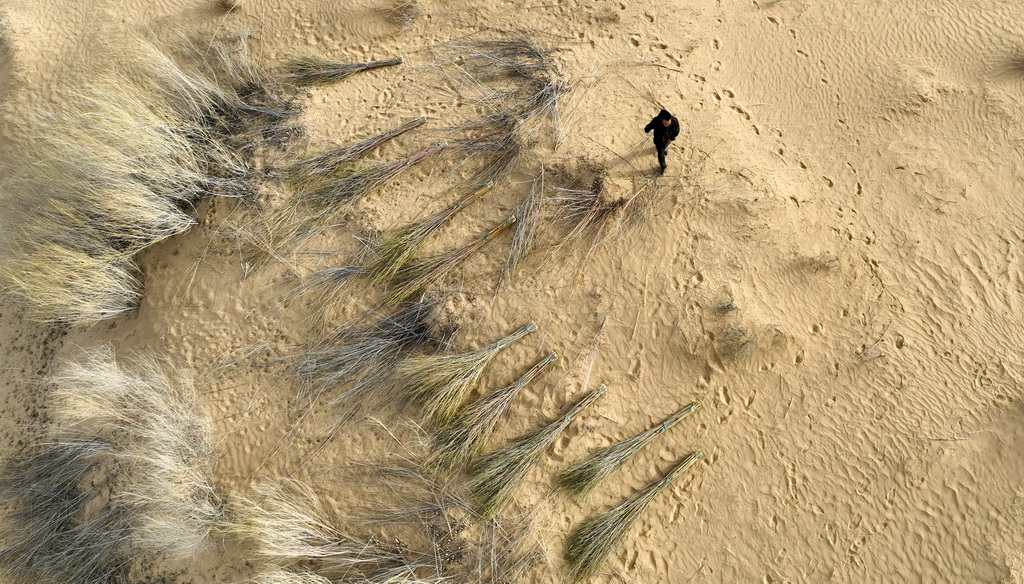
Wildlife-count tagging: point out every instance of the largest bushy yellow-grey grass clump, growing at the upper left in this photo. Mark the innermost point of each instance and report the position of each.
(110, 171)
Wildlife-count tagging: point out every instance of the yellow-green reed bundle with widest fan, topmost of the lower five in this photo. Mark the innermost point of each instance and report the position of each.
(441, 383)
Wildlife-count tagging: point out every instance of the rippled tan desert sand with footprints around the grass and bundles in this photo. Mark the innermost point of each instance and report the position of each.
(833, 268)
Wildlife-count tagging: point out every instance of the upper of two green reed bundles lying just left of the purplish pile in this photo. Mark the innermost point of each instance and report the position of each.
(395, 248)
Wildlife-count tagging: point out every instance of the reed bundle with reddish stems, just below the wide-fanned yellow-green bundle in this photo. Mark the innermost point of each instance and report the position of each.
(463, 438)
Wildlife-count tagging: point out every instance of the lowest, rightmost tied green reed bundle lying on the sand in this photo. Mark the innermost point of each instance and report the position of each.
(592, 541)
